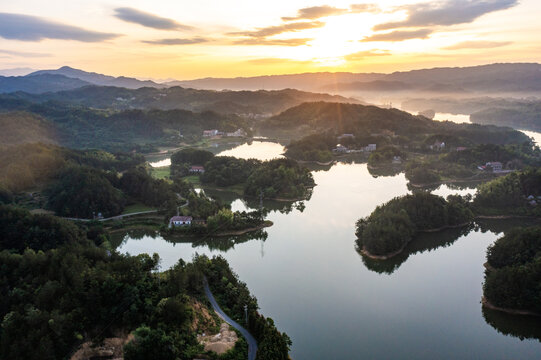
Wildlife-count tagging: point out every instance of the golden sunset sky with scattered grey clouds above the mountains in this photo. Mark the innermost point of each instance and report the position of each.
(180, 39)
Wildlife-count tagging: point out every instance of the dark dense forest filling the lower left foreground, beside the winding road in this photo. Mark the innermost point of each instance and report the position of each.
(63, 286)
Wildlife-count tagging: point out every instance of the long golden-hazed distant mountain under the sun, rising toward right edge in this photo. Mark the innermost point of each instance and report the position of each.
(512, 77)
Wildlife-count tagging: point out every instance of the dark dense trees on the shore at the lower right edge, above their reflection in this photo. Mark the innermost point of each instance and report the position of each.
(513, 274)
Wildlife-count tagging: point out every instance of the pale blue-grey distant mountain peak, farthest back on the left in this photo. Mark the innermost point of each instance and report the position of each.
(99, 79)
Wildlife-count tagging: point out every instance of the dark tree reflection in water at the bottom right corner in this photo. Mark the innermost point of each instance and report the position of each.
(520, 326)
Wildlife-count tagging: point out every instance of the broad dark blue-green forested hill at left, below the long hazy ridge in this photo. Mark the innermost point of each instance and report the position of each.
(82, 127)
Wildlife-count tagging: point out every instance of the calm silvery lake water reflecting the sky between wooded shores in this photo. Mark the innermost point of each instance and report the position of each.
(334, 304)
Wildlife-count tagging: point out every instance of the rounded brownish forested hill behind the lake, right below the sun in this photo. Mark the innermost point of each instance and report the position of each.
(362, 120)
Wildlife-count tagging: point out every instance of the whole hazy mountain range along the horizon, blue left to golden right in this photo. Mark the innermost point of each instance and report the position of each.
(493, 78)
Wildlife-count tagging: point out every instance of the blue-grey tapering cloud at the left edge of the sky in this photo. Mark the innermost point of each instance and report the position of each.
(33, 28)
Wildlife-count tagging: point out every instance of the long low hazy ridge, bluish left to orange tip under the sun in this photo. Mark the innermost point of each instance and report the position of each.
(230, 102)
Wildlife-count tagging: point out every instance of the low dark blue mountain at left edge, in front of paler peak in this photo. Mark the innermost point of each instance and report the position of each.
(41, 83)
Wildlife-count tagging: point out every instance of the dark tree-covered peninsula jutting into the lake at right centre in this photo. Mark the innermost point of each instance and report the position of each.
(392, 225)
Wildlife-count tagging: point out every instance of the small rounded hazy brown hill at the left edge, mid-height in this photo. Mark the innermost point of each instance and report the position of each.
(22, 127)
